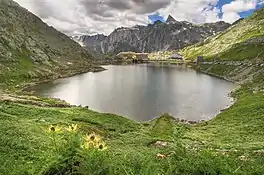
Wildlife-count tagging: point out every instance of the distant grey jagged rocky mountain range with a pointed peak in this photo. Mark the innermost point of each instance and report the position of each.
(159, 36)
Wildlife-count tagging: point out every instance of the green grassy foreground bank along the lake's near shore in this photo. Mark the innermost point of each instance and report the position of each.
(231, 143)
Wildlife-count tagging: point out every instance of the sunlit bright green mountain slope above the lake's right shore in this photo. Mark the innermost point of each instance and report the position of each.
(244, 40)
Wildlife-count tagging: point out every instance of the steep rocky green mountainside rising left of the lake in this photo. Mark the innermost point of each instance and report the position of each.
(30, 49)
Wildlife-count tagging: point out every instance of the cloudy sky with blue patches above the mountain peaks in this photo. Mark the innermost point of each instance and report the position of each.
(82, 17)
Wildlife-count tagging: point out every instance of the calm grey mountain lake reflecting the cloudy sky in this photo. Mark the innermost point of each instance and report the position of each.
(143, 92)
